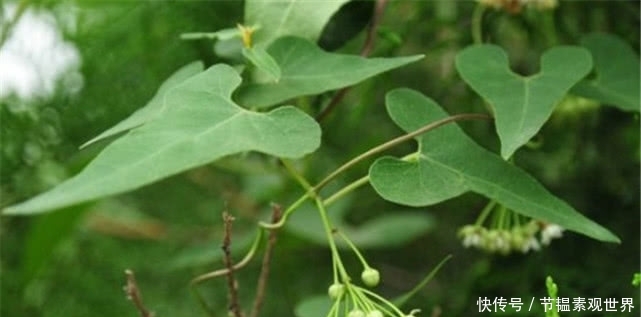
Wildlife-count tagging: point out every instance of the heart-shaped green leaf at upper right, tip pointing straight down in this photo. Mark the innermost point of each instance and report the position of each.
(521, 104)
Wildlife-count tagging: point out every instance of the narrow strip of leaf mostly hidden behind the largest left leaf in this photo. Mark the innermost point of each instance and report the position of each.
(154, 107)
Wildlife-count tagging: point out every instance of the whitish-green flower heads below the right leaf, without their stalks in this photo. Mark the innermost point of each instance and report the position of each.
(504, 241)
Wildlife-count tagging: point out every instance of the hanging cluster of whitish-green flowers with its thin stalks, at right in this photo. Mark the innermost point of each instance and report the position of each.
(509, 232)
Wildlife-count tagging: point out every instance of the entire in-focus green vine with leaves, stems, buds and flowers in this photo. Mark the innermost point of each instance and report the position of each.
(200, 115)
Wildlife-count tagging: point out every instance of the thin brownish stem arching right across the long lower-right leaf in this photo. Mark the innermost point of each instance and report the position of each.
(396, 141)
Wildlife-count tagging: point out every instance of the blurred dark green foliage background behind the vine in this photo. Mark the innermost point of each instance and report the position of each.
(71, 263)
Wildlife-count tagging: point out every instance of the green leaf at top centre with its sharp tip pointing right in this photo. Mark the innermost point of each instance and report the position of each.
(306, 70)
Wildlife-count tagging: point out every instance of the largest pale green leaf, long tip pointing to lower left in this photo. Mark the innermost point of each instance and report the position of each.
(200, 124)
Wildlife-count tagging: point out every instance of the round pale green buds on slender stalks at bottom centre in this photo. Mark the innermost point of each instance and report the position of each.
(351, 300)
